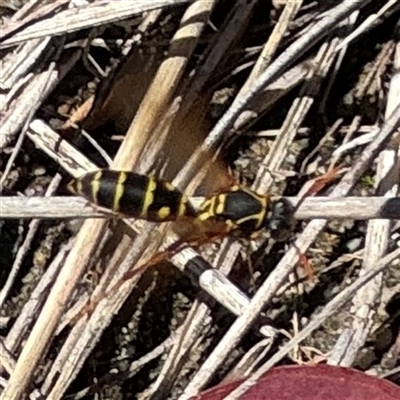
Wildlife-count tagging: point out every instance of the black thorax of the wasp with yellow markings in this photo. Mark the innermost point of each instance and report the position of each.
(242, 210)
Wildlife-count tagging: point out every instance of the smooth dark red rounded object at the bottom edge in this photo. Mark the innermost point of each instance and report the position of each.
(320, 382)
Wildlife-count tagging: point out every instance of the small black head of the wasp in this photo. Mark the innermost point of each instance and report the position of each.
(281, 222)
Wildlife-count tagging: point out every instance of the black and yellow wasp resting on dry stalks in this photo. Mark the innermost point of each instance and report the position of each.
(238, 211)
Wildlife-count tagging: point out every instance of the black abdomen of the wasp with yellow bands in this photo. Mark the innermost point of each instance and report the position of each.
(133, 195)
